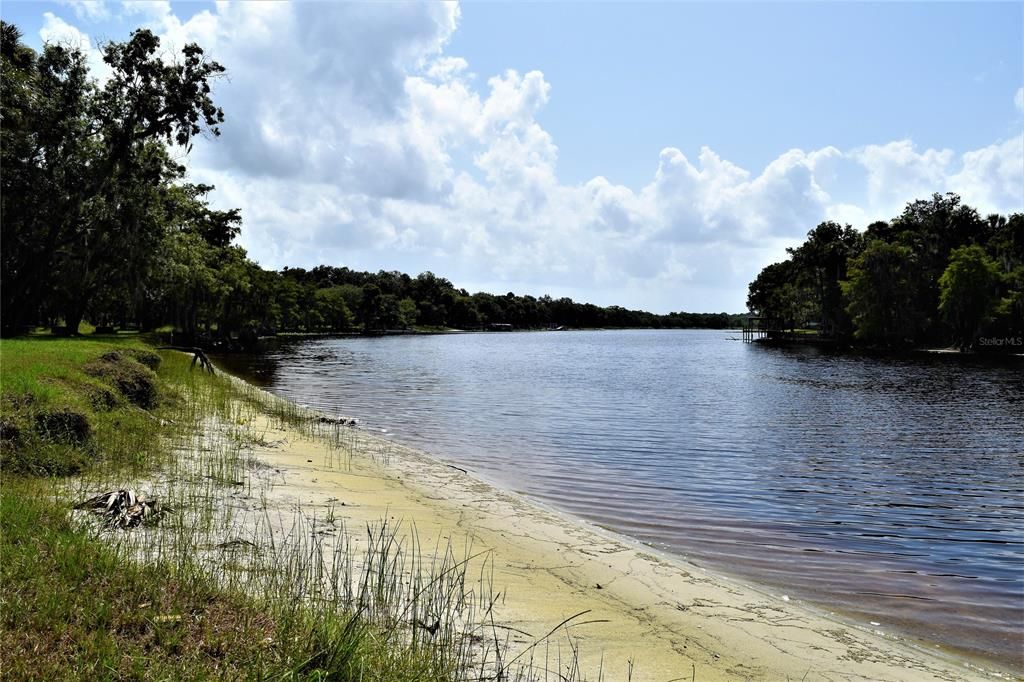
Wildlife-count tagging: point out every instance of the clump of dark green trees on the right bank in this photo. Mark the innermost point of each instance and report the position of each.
(938, 274)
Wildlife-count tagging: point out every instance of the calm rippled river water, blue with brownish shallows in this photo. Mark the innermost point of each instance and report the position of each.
(890, 490)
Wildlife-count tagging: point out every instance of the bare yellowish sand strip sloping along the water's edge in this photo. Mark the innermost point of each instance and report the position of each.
(672, 620)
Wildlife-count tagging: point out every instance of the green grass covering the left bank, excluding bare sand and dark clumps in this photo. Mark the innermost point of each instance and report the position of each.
(79, 605)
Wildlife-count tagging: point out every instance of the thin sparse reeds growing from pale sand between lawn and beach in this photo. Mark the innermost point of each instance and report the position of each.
(369, 603)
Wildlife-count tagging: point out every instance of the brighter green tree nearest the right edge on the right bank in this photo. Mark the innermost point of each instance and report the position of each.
(969, 293)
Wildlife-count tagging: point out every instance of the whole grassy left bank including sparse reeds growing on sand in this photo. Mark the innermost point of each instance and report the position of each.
(219, 587)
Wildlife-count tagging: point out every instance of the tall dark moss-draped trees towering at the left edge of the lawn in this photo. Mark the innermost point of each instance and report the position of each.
(83, 165)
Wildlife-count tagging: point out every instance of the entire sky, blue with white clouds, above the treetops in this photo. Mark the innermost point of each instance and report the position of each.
(655, 156)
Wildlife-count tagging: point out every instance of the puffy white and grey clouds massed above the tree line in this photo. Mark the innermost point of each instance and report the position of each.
(355, 139)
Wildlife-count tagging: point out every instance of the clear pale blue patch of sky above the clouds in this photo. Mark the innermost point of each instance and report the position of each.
(752, 80)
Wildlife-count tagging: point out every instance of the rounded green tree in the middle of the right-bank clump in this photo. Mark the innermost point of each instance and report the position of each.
(882, 295)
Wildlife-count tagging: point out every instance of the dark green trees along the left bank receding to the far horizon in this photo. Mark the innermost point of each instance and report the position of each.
(100, 224)
